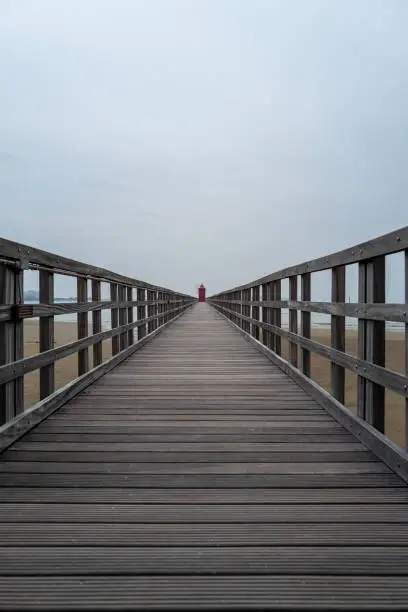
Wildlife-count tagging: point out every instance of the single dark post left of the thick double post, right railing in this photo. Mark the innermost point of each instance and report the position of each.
(338, 332)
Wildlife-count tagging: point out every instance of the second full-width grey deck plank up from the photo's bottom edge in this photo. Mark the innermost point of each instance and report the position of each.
(206, 560)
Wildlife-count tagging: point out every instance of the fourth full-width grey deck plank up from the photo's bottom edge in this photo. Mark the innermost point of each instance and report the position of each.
(204, 513)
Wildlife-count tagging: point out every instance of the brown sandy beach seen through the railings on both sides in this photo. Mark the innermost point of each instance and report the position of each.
(66, 369)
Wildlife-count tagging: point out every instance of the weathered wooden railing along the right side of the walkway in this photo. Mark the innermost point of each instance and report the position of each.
(256, 309)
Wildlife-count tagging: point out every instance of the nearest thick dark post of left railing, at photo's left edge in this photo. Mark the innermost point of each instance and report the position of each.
(11, 341)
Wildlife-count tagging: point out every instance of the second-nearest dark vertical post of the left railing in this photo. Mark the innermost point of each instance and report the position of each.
(47, 373)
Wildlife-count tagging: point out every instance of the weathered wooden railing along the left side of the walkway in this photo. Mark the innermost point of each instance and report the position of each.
(155, 307)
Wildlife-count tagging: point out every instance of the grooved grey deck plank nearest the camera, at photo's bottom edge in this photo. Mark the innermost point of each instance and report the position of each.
(222, 592)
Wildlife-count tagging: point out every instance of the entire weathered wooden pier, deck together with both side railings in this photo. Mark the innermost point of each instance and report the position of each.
(196, 468)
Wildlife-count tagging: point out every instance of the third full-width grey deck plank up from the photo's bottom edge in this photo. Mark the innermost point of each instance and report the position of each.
(204, 534)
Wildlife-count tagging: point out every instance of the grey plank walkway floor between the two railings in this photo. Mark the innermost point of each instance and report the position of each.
(195, 475)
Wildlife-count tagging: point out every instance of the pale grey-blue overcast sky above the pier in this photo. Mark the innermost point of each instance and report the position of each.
(185, 141)
